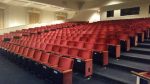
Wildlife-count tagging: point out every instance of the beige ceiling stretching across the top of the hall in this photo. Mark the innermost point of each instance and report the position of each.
(64, 5)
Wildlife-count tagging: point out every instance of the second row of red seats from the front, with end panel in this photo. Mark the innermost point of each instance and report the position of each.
(83, 55)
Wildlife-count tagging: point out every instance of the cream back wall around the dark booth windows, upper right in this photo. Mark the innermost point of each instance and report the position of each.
(144, 7)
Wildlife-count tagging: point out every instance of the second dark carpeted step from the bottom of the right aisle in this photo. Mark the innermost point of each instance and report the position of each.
(129, 65)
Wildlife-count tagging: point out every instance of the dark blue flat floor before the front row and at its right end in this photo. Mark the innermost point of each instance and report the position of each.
(11, 73)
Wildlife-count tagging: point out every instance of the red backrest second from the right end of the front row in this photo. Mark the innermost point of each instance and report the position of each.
(53, 60)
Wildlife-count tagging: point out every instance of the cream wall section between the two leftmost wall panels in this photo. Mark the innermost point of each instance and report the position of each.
(15, 16)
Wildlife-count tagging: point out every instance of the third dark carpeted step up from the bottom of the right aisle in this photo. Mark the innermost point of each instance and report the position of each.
(136, 57)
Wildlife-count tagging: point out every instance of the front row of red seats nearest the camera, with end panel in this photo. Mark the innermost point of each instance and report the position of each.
(60, 66)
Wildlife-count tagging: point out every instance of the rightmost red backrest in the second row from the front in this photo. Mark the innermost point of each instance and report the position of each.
(85, 54)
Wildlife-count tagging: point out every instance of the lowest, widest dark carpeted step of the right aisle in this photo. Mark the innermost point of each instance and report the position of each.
(115, 74)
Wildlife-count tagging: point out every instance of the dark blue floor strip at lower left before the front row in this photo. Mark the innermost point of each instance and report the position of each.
(10, 73)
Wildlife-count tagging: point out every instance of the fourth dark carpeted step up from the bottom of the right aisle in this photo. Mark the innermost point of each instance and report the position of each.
(137, 50)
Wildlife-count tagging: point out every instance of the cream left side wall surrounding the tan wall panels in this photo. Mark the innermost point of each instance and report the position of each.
(16, 18)
